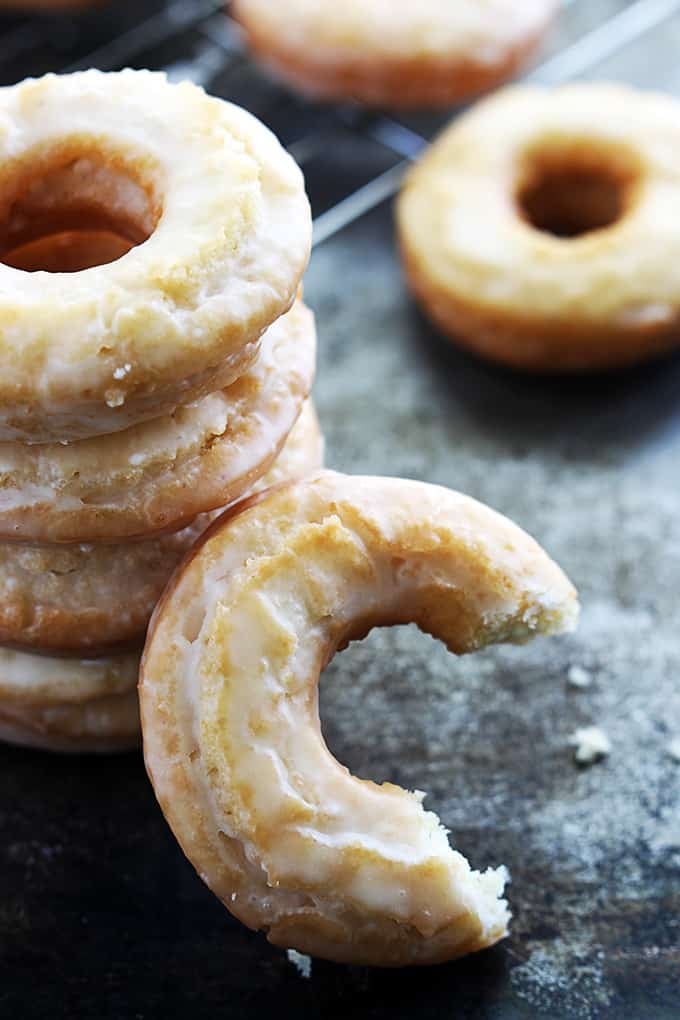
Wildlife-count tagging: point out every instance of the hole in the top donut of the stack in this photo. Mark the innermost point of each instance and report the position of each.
(73, 208)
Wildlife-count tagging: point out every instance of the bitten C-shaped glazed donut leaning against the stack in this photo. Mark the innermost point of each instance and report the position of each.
(292, 844)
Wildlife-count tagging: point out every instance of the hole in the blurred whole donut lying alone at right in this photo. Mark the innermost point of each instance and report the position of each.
(571, 193)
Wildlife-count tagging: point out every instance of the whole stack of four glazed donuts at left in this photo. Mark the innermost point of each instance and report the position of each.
(155, 366)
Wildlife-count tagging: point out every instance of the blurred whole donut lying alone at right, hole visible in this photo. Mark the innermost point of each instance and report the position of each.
(540, 229)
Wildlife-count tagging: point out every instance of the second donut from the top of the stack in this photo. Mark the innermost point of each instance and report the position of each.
(161, 475)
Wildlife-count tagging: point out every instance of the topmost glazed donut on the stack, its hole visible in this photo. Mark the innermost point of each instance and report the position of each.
(219, 221)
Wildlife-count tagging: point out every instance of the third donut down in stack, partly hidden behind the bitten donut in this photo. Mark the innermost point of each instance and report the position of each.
(89, 600)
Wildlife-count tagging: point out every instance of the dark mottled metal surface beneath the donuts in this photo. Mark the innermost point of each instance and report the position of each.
(100, 915)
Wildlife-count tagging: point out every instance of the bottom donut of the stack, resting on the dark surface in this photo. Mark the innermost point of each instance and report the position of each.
(69, 705)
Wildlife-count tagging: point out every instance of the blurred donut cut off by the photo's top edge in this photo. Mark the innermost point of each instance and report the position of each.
(431, 54)
